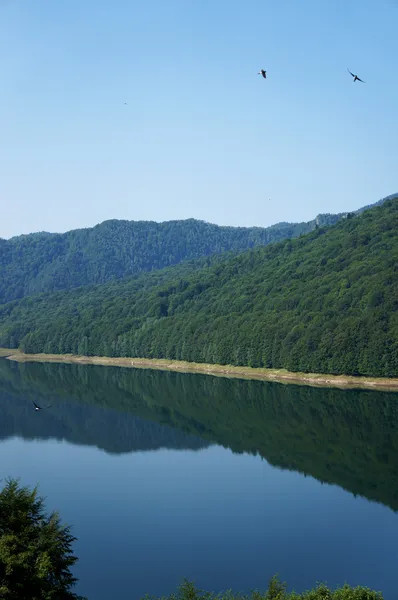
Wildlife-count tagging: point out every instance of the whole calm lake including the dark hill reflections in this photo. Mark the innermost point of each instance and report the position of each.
(225, 482)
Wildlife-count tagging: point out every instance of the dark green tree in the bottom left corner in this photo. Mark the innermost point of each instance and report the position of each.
(35, 549)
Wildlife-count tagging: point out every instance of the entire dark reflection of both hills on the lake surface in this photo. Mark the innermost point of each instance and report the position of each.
(344, 437)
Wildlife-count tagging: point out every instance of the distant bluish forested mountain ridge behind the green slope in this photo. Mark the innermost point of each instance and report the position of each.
(40, 262)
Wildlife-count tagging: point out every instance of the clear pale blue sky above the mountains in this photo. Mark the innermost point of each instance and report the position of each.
(202, 135)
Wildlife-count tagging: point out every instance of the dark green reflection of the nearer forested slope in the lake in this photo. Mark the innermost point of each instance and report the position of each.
(349, 438)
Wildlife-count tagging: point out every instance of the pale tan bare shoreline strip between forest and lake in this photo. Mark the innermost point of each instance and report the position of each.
(279, 375)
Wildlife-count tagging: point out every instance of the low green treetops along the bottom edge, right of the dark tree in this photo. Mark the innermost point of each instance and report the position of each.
(276, 591)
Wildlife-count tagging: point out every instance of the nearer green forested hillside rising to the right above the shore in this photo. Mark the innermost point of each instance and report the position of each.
(325, 302)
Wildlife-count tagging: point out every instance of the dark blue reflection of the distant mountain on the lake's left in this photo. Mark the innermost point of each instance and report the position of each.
(86, 424)
